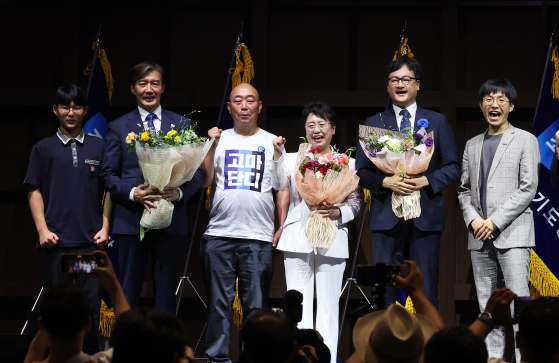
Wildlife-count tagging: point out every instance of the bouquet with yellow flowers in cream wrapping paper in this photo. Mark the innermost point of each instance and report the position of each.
(169, 159)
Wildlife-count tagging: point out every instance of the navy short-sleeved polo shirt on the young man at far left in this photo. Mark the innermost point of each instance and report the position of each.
(67, 172)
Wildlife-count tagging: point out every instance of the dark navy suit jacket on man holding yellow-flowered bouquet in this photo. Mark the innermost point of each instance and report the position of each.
(121, 172)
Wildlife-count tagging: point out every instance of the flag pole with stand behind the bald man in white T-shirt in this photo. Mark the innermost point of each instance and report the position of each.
(183, 277)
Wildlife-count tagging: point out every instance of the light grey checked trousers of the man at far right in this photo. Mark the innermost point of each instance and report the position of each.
(514, 263)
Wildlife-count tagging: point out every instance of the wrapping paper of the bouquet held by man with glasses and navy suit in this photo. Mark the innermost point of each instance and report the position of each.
(392, 163)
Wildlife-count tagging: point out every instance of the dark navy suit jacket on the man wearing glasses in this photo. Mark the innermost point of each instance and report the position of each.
(443, 170)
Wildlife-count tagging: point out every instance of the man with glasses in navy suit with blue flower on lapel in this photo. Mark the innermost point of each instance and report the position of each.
(417, 239)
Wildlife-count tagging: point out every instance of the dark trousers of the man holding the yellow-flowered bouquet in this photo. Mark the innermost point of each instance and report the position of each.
(133, 254)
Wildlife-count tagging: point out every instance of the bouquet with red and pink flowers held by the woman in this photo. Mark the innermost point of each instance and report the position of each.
(327, 179)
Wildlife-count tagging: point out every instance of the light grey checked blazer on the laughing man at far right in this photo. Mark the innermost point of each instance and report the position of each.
(511, 185)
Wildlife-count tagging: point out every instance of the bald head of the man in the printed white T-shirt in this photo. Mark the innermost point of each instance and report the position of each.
(244, 105)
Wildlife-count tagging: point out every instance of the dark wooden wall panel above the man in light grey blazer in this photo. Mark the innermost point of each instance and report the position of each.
(494, 45)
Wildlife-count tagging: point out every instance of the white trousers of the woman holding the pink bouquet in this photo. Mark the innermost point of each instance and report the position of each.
(301, 271)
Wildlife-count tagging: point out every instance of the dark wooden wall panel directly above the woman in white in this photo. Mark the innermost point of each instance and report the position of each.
(309, 46)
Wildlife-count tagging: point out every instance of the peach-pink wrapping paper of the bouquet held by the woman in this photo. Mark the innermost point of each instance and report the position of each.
(333, 188)
